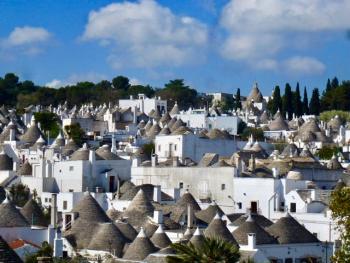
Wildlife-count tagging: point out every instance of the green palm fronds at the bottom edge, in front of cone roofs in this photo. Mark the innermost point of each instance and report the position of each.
(213, 250)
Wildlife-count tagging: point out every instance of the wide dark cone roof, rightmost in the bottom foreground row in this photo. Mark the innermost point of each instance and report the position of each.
(287, 230)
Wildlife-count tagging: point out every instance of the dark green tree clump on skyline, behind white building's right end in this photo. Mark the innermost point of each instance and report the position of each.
(177, 91)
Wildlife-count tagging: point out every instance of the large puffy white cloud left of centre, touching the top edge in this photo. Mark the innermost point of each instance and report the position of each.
(146, 34)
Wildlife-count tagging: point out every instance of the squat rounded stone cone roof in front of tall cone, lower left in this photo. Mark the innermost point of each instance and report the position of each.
(108, 238)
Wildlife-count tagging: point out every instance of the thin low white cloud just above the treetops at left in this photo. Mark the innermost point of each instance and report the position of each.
(74, 78)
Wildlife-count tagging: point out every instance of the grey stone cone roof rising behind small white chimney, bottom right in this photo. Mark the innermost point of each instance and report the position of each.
(250, 226)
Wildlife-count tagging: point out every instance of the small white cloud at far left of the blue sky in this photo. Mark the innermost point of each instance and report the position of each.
(27, 35)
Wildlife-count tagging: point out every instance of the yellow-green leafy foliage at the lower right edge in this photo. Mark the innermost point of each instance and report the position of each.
(340, 207)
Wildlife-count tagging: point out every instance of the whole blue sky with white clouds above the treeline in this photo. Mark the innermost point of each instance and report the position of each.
(214, 45)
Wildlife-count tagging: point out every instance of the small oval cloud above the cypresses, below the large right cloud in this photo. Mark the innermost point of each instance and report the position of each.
(304, 65)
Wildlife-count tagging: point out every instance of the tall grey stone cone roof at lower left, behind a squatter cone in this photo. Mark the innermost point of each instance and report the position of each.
(90, 214)
